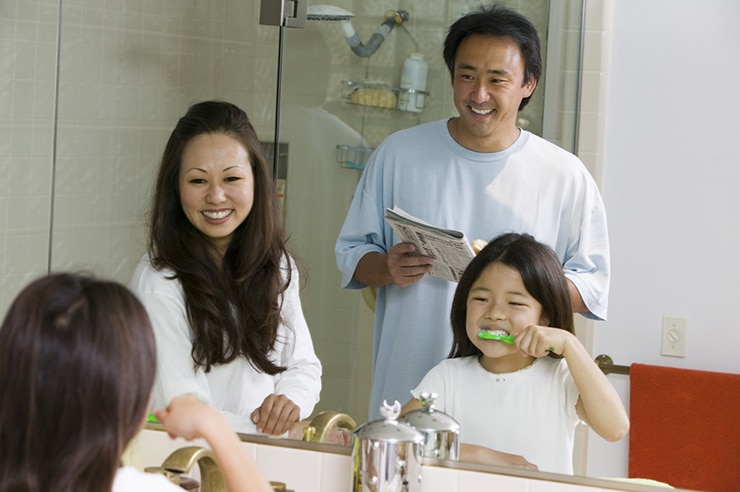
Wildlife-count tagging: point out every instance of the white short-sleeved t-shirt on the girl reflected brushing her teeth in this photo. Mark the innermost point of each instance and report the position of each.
(530, 412)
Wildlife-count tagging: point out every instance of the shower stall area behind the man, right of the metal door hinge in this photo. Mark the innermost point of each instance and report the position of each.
(337, 99)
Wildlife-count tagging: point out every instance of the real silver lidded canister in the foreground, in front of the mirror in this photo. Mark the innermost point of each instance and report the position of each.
(386, 454)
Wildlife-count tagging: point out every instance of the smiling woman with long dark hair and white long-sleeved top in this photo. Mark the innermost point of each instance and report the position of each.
(218, 282)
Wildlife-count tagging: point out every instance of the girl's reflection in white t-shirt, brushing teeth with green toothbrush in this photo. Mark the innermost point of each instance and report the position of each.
(518, 380)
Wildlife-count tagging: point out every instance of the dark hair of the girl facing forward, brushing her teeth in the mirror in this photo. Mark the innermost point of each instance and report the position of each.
(542, 275)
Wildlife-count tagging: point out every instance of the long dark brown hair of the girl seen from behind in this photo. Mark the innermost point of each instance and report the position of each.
(77, 365)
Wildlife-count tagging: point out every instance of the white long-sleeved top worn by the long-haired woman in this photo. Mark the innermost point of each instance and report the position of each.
(236, 389)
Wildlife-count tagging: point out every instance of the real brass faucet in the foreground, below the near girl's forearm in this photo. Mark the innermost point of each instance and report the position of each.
(181, 461)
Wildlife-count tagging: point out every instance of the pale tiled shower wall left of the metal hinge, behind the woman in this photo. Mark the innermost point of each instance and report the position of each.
(93, 125)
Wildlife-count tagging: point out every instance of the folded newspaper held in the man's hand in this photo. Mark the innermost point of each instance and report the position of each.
(449, 248)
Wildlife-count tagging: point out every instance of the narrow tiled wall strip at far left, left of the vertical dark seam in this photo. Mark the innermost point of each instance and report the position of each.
(28, 44)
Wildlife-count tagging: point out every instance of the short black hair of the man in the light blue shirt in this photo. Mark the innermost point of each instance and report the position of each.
(497, 21)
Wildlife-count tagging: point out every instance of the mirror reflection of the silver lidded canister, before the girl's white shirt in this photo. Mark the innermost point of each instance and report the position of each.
(441, 432)
